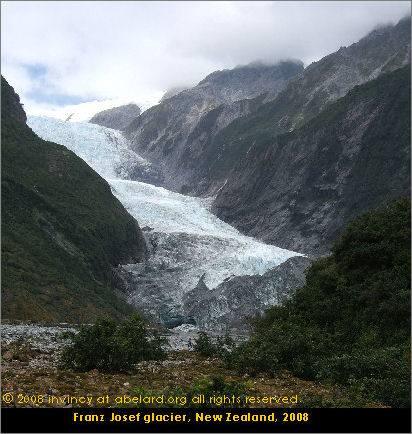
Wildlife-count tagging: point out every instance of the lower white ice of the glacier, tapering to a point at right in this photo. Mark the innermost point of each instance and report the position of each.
(169, 212)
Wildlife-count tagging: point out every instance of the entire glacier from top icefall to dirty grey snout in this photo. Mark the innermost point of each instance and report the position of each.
(188, 244)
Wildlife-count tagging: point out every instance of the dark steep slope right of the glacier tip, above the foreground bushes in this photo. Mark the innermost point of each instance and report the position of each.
(300, 189)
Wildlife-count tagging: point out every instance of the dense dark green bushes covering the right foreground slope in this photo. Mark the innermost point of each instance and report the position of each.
(350, 323)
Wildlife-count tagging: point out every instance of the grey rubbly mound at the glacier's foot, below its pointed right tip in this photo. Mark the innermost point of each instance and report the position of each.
(230, 304)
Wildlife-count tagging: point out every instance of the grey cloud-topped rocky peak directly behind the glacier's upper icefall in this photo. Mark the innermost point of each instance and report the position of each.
(163, 134)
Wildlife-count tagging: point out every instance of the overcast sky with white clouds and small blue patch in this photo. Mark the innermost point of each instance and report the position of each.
(57, 53)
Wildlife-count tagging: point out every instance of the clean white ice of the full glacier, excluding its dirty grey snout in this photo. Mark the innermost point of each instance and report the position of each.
(218, 251)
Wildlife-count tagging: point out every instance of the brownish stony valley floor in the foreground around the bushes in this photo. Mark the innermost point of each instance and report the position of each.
(30, 372)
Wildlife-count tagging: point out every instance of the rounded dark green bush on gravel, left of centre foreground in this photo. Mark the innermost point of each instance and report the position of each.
(110, 347)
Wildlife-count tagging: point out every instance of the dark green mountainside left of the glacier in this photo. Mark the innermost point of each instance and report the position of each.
(63, 231)
